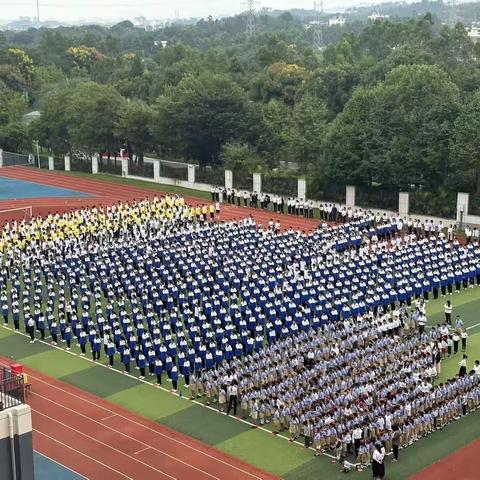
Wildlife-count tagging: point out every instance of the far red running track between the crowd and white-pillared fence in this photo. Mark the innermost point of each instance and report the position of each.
(110, 193)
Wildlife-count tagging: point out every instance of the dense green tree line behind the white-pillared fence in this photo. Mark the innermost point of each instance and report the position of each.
(393, 105)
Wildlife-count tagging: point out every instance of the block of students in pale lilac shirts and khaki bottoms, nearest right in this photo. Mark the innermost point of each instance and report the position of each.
(349, 385)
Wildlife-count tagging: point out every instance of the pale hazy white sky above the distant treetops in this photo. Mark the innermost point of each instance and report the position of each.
(114, 9)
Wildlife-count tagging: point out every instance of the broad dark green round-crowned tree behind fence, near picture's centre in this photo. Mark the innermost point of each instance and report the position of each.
(195, 118)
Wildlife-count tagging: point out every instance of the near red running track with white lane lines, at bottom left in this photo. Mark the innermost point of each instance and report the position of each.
(103, 441)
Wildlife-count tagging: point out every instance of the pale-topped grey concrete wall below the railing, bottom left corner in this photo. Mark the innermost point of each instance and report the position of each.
(22, 427)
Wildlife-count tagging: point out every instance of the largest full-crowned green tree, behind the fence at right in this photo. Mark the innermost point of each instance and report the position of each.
(397, 132)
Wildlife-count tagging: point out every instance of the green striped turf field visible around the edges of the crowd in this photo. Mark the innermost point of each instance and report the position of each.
(256, 446)
